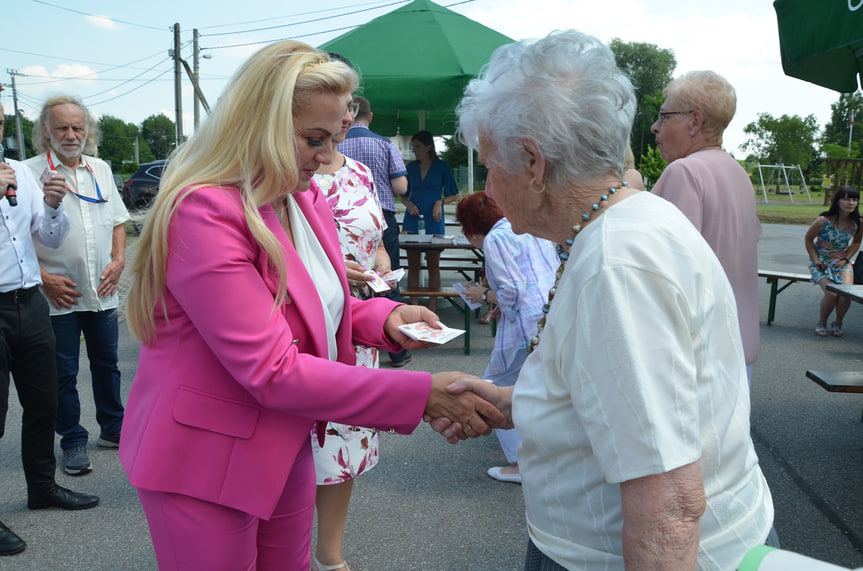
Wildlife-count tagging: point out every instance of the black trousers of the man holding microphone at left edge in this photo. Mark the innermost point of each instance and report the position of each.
(27, 352)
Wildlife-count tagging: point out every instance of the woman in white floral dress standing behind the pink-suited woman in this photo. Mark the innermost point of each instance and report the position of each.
(348, 451)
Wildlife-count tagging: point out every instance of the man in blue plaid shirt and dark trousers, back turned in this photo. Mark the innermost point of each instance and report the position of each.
(390, 176)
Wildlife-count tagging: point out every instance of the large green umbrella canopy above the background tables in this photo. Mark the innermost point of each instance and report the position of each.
(415, 63)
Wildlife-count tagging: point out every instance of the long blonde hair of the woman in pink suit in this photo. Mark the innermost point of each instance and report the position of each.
(247, 142)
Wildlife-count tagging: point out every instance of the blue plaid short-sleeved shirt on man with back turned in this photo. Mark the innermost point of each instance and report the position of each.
(380, 155)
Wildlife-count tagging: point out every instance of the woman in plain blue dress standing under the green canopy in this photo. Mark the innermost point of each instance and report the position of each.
(430, 186)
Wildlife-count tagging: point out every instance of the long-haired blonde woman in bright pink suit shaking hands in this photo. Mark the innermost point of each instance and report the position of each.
(241, 301)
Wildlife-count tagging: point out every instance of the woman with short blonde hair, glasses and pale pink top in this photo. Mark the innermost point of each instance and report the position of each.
(711, 188)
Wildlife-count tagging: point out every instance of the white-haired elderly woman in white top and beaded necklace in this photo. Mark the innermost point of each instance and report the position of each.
(633, 406)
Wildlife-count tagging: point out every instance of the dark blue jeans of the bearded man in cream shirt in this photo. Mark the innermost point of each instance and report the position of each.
(101, 336)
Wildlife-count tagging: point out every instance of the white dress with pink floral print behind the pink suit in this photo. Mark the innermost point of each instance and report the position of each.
(348, 451)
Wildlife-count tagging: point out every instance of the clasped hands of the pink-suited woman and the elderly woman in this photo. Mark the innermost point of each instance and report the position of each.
(473, 415)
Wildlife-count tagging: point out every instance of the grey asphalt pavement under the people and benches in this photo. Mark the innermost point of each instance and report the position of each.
(429, 505)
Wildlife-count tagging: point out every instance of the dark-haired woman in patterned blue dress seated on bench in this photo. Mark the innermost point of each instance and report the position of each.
(831, 242)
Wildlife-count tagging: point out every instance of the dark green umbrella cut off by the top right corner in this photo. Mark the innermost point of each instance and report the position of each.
(821, 41)
